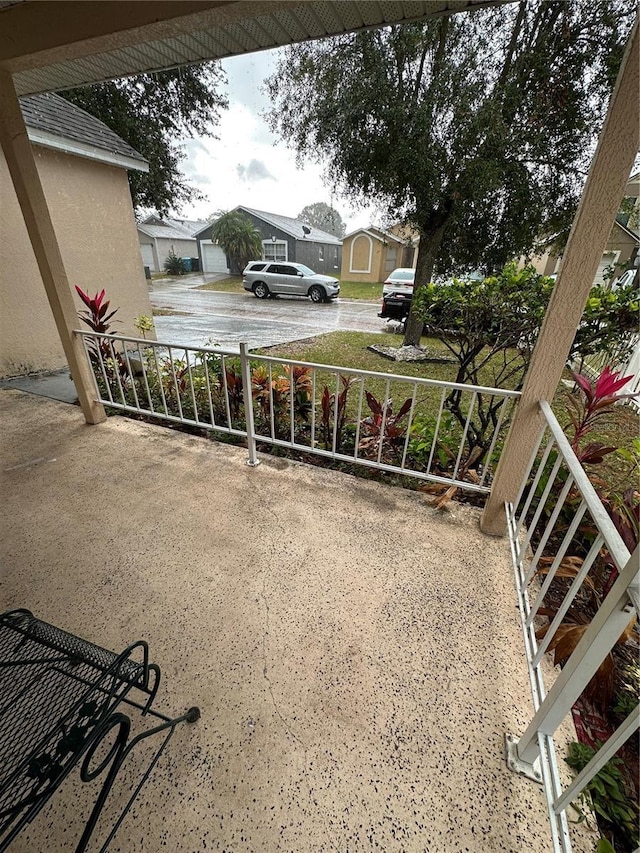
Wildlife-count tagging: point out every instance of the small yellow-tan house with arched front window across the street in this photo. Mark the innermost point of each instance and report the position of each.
(370, 254)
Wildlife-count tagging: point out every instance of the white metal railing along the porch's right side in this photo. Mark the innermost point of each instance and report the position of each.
(558, 503)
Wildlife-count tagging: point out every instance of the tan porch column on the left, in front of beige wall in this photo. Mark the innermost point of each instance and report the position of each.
(26, 180)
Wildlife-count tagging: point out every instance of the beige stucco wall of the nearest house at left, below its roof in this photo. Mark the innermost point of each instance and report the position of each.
(92, 213)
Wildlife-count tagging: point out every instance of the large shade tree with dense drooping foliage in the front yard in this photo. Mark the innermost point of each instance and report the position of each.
(475, 129)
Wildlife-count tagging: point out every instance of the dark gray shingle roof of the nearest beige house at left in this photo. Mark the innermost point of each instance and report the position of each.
(52, 114)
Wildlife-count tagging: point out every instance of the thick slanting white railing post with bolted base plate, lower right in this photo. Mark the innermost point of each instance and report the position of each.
(600, 637)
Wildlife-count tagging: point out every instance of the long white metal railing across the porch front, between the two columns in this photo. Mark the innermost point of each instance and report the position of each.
(422, 428)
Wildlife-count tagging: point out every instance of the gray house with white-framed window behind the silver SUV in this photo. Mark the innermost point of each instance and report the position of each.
(284, 239)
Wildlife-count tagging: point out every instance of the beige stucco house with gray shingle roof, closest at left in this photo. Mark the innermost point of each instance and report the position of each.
(83, 168)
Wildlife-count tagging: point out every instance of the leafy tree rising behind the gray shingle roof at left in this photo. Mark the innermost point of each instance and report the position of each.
(152, 112)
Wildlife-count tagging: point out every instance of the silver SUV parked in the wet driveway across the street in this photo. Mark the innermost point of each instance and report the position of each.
(264, 278)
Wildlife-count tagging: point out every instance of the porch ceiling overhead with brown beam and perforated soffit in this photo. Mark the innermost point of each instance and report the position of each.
(58, 45)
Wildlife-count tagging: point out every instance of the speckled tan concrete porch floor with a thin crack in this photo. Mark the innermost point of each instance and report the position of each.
(357, 657)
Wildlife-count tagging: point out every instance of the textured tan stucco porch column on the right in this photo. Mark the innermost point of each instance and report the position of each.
(610, 169)
